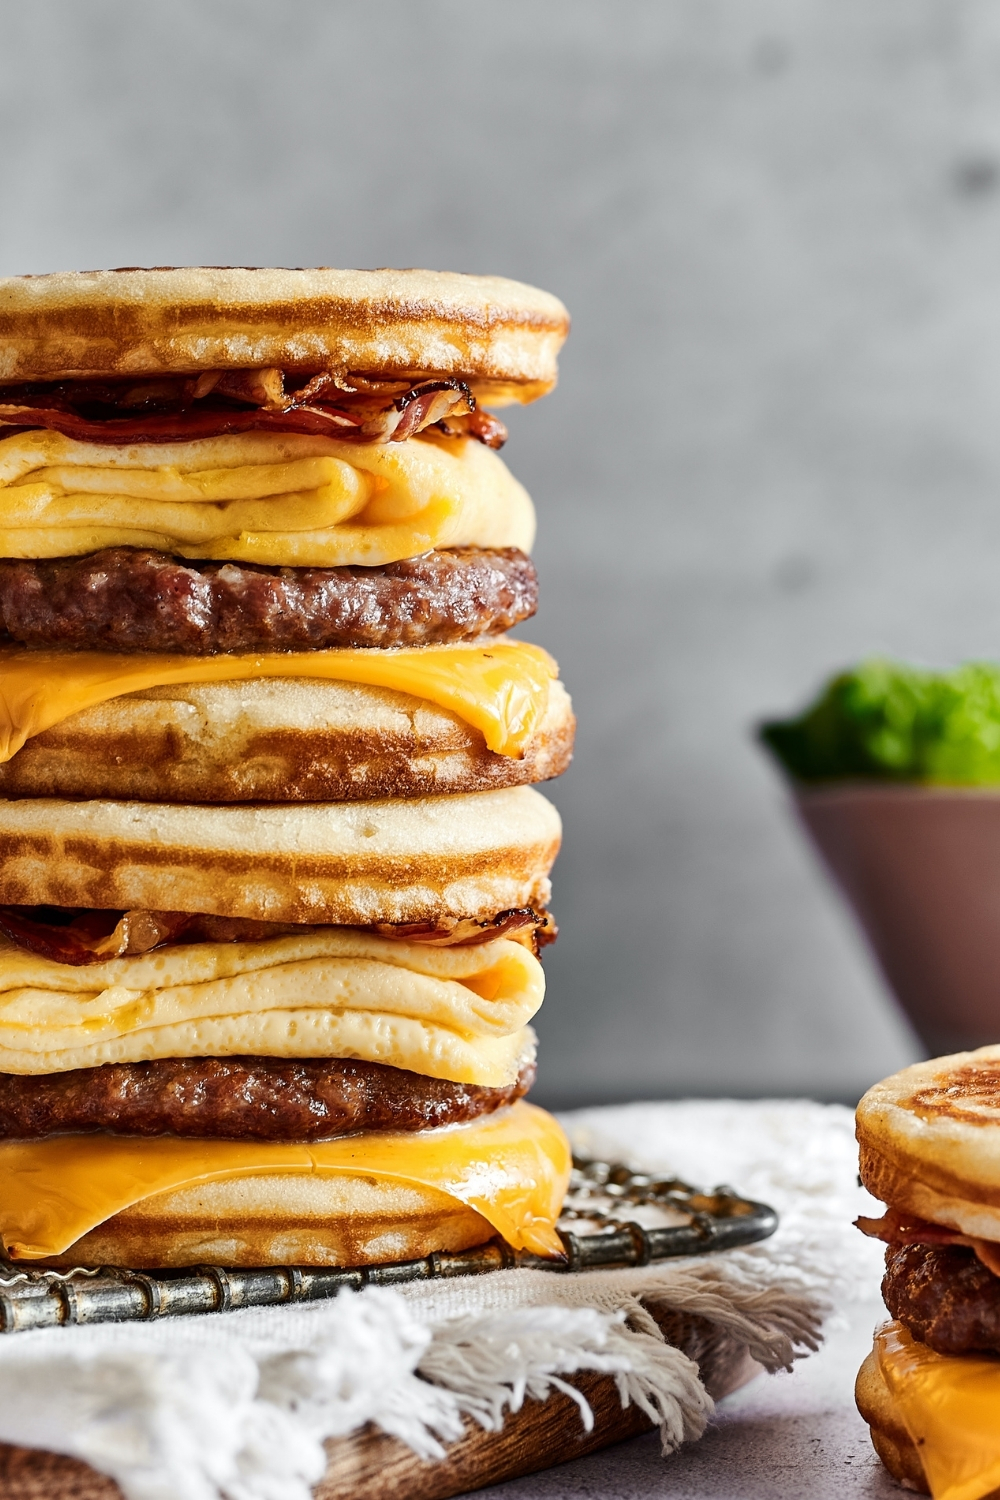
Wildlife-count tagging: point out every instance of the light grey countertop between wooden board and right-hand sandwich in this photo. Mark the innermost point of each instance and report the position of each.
(782, 1438)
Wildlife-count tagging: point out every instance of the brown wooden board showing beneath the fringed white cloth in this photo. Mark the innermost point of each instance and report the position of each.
(371, 1466)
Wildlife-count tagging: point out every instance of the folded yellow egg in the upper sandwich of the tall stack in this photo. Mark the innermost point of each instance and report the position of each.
(272, 499)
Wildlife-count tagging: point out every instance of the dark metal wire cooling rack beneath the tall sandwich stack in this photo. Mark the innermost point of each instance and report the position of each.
(666, 1219)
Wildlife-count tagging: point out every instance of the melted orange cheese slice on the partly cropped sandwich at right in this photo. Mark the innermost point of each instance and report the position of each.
(951, 1409)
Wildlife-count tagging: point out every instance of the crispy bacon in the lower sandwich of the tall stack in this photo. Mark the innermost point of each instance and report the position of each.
(80, 937)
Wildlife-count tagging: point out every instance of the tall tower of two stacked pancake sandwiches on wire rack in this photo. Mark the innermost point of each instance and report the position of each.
(274, 872)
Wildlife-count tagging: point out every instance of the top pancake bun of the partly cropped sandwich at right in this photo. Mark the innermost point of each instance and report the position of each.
(930, 1141)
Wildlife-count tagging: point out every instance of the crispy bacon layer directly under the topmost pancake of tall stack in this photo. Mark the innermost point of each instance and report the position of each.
(221, 403)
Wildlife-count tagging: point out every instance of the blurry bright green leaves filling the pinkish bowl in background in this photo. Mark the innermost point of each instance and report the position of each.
(887, 722)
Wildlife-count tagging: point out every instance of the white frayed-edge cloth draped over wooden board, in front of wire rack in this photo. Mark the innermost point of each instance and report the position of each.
(247, 1418)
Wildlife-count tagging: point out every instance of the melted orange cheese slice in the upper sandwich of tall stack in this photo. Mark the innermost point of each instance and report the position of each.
(500, 689)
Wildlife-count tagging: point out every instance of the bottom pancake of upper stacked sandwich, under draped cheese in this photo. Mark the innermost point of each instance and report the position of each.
(278, 740)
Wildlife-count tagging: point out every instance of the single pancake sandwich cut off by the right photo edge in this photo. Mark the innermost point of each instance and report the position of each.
(930, 1391)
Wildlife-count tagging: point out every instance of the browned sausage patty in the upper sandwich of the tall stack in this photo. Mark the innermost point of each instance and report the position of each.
(133, 599)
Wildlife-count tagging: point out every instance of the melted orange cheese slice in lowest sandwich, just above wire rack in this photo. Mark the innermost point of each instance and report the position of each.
(512, 1168)
